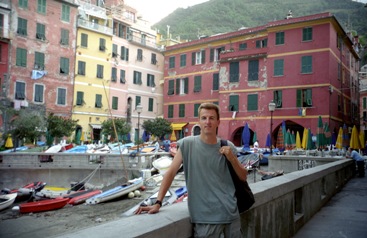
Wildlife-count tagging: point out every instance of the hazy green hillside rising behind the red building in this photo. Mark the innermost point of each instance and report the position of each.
(220, 16)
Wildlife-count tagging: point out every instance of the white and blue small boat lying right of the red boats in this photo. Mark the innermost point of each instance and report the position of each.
(116, 192)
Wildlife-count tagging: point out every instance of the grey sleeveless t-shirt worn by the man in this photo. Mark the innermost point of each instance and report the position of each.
(211, 193)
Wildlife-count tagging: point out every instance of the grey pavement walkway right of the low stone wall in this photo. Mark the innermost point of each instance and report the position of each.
(345, 215)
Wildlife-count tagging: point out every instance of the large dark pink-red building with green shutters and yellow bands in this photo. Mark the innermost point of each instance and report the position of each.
(306, 65)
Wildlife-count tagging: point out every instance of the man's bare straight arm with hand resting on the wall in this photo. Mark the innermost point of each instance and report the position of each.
(165, 185)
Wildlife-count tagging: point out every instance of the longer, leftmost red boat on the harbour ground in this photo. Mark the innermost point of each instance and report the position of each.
(43, 205)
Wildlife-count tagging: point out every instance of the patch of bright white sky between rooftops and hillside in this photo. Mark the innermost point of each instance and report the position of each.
(155, 10)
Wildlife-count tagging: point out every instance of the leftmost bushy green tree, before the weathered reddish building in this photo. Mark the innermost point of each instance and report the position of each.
(27, 125)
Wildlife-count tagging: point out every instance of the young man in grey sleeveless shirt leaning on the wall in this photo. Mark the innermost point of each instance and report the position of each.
(212, 202)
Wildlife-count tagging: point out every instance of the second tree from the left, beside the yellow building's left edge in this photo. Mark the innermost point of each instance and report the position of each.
(58, 126)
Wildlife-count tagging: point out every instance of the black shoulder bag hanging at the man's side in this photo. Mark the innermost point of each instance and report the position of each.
(245, 197)
